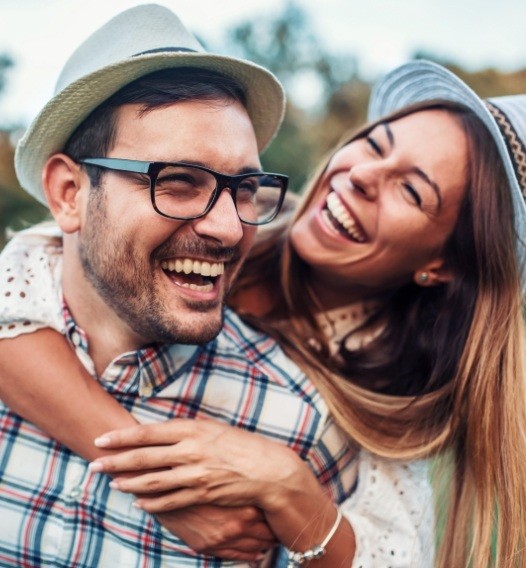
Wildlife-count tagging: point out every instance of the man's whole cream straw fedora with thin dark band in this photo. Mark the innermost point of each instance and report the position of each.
(132, 44)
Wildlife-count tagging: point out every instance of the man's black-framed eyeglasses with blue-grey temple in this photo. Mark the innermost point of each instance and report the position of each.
(185, 191)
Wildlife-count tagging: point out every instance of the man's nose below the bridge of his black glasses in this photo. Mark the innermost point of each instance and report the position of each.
(222, 222)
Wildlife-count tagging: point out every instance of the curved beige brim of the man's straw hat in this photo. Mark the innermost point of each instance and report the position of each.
(56, 122)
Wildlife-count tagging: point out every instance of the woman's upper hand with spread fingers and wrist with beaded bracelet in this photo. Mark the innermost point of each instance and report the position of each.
(208, 462)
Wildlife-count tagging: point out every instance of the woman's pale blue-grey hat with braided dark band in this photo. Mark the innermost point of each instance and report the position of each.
(504, 117)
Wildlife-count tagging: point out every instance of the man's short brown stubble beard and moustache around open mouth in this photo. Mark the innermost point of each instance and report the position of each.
(127, 282)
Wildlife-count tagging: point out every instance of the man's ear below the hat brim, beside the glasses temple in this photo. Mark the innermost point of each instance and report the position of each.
(62, 182)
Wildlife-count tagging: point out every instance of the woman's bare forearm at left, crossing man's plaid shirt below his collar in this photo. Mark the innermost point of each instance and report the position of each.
(43, 380)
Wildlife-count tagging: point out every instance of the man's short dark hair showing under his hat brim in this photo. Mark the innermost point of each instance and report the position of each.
(96, 134)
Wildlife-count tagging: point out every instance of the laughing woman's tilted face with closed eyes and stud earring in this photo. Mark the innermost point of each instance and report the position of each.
(385, 206)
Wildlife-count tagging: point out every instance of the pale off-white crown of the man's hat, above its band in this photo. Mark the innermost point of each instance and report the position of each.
(146, 28)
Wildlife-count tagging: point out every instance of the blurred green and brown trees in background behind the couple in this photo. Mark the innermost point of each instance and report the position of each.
(285, 42)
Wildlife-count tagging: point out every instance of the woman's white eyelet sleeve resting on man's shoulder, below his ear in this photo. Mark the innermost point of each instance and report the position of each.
(30, 281)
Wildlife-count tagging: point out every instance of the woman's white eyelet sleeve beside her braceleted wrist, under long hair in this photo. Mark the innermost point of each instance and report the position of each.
(392, 514)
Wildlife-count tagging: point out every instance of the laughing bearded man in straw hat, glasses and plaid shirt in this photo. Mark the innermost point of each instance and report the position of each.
(147, 157)
